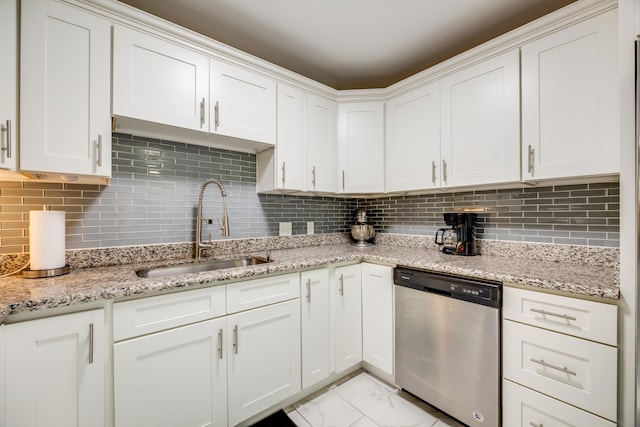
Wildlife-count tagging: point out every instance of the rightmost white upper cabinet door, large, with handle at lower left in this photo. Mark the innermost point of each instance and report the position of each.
(570, 101)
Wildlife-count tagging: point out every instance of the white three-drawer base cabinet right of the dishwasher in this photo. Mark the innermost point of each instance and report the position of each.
(580, 370)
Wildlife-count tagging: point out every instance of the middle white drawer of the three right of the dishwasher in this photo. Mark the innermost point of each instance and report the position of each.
(576, 371)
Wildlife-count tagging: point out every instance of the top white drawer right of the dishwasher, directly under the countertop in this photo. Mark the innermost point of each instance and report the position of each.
(581, 318)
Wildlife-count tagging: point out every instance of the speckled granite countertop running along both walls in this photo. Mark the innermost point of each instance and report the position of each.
(84, 285)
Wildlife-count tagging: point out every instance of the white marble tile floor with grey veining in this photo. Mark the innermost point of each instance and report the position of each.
(361, 400)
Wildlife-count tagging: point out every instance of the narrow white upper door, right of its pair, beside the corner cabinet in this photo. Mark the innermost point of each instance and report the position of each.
(322, 133)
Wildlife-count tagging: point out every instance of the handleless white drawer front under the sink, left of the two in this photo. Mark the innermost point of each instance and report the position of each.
(147, 315)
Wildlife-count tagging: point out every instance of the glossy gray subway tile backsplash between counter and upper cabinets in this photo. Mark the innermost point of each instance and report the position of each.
(154, 188)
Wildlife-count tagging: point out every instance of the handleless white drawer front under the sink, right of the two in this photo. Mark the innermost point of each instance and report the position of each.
(259, 292)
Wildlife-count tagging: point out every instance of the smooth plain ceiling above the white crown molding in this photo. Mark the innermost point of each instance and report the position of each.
(351, 44)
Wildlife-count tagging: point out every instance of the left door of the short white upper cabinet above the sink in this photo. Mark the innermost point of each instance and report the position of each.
(158, 81)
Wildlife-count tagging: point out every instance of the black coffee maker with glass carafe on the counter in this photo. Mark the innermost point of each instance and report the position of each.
(460, 238)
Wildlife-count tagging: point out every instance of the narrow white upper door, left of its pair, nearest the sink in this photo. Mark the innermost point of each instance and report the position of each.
(291, 150)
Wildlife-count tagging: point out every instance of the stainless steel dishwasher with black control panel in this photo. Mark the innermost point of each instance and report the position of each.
(448, 343)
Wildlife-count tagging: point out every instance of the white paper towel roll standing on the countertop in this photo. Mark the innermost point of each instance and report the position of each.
(46, 239)
